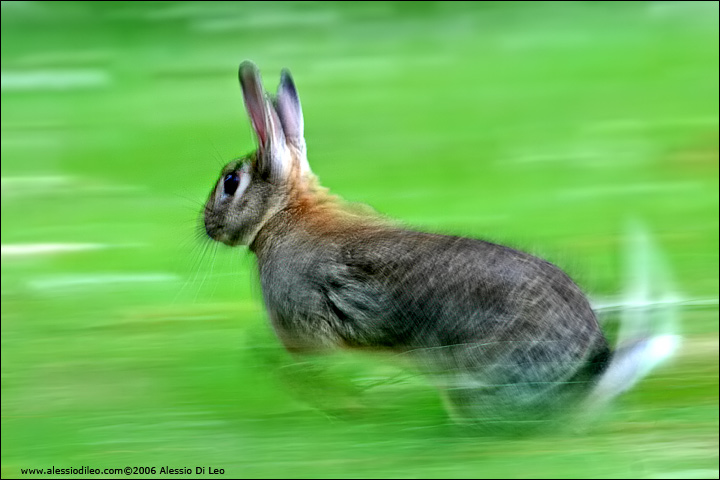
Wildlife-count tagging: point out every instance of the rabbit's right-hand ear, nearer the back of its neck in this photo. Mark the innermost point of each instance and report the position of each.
(287, 105)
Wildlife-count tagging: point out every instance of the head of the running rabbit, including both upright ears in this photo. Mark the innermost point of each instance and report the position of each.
(251, 189)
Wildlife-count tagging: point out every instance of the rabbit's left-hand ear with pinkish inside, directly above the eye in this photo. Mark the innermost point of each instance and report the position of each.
(265, 122)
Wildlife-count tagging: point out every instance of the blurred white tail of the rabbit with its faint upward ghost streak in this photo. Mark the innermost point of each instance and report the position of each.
(648, 332)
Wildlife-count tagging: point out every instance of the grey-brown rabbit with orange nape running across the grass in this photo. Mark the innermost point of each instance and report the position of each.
(507, 336)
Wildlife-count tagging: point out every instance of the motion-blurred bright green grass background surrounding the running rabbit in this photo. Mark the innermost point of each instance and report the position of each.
(127, 339)
